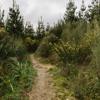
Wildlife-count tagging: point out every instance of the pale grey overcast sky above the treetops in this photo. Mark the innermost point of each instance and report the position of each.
(51, 10)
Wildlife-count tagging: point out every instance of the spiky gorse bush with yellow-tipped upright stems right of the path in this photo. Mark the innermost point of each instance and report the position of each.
(66, 52)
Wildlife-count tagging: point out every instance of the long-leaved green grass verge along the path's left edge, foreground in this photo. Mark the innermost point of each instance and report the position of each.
(18, 82)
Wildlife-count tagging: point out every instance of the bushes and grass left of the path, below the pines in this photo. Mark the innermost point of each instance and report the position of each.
(16, 70)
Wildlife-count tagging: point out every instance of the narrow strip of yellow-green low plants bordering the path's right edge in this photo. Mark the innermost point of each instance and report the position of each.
(60, 83)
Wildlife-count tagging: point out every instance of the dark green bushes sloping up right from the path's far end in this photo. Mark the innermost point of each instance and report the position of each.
(53, 36)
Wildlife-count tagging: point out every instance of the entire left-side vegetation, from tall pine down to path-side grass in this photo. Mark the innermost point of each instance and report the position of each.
(17, 74)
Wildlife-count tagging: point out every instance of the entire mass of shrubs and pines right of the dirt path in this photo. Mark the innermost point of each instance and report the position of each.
(73, 46)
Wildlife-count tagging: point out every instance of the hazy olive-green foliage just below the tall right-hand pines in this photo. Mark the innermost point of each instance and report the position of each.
(74, 32)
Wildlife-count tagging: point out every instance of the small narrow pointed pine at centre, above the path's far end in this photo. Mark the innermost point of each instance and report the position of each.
(40, 29)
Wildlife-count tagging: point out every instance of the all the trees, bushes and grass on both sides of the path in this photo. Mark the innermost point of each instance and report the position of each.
(72, 45)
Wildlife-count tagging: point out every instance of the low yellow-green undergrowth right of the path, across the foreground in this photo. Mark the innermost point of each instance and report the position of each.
(84, 86)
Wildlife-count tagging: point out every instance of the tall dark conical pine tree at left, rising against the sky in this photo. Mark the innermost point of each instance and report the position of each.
(14, 23)
